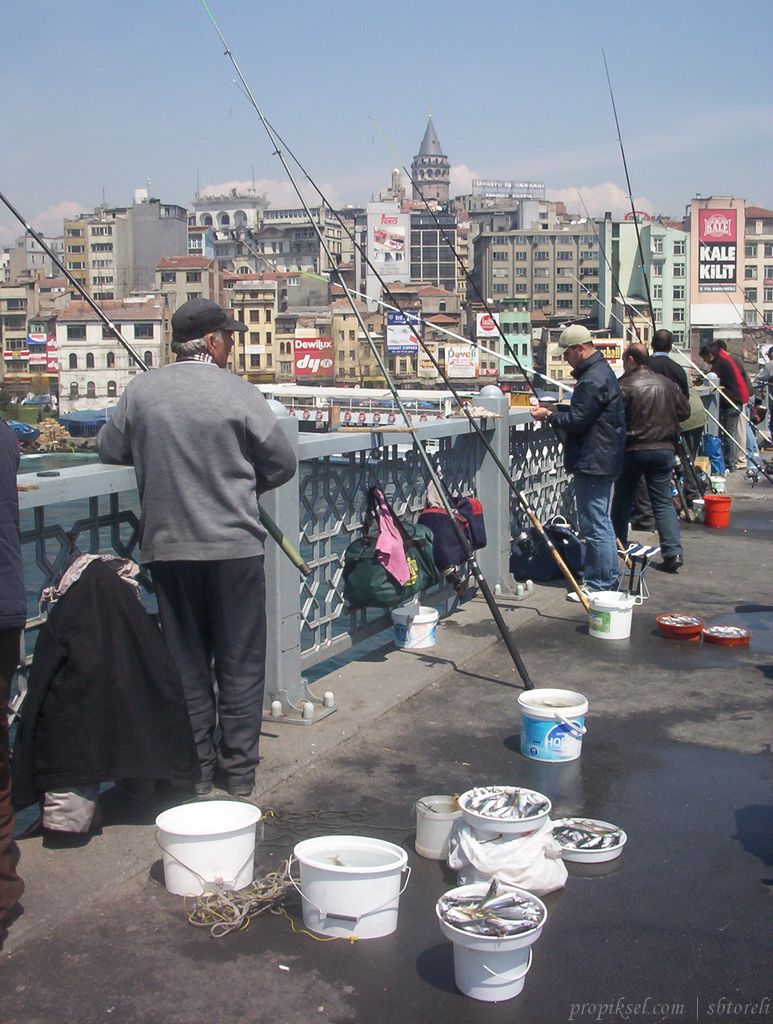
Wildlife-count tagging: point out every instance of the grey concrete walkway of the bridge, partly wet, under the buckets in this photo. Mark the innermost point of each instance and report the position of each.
(678, 753)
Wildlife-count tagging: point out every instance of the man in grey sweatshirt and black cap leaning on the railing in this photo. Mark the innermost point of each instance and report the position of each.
(205, 446)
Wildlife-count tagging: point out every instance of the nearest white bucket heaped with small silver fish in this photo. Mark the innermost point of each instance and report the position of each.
(493, 928)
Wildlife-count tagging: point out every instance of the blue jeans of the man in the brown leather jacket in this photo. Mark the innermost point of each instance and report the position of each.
(658, 470)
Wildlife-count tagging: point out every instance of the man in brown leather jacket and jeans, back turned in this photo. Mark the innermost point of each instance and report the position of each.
(655, 406)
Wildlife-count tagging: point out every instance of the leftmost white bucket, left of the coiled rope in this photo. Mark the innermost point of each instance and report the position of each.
(208, 842)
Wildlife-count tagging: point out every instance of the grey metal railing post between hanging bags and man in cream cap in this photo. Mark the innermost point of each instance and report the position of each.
(494, 492)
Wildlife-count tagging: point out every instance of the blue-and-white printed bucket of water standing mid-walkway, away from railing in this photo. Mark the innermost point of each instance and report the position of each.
(552, 724)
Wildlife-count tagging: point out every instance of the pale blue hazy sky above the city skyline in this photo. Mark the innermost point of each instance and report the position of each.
(101, 98)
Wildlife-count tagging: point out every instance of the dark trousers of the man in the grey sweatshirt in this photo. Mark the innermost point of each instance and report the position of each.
(216, 612)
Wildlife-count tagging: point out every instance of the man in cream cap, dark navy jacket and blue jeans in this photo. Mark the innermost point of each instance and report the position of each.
(593, 431)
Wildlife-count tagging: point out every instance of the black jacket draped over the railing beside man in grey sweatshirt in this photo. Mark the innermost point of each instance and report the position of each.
(105, 700)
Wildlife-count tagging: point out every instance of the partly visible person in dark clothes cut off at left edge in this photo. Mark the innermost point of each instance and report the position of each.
(13, 619)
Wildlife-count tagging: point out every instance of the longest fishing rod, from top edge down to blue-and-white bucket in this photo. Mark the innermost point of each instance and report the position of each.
(433, 475)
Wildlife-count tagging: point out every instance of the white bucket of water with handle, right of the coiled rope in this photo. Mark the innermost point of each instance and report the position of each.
(351, 885)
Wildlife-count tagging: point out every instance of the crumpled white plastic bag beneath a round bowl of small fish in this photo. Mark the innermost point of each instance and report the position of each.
(533, 862)
